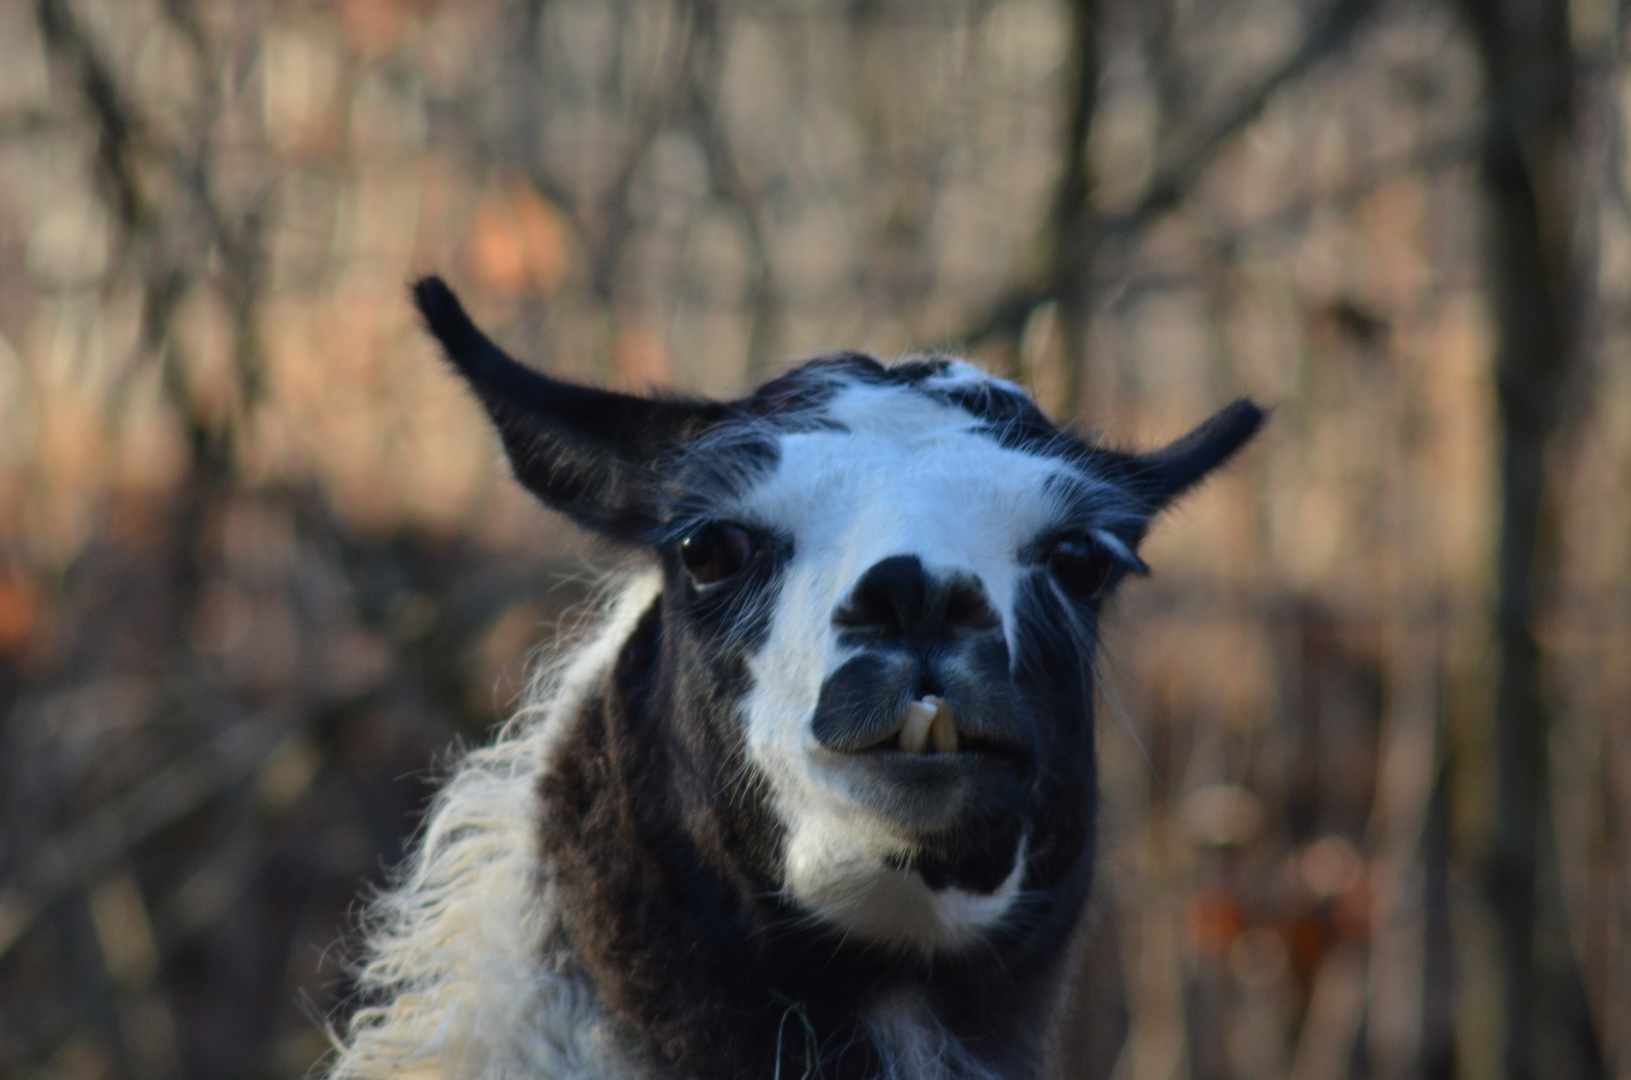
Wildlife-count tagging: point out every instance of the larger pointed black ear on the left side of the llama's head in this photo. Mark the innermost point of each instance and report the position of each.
(586, 453)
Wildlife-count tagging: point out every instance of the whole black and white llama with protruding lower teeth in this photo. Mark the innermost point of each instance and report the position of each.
(818, 799)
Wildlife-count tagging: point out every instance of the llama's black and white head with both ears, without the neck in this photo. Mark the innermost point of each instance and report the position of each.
(878, 621)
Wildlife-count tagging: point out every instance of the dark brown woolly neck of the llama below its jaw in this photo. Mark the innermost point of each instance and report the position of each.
(671, 919)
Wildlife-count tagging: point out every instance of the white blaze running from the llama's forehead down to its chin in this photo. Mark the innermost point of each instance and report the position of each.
(908, 477)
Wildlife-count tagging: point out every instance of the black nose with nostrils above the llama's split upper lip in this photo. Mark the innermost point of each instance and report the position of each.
(898, 598)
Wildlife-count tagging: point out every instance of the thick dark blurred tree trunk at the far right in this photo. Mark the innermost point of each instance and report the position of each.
(1536, 296)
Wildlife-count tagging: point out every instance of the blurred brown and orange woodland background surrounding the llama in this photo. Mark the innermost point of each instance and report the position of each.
(1366, 735)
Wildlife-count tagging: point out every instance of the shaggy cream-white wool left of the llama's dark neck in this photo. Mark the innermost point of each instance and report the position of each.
(461, 975)
